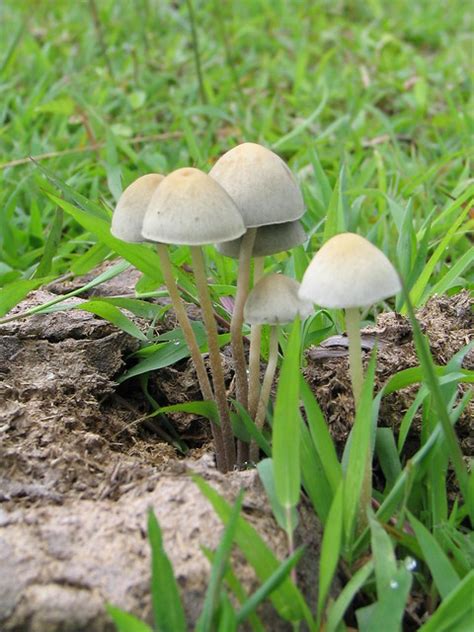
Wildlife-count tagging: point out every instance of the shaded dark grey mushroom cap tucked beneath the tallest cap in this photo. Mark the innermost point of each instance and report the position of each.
(269, 240)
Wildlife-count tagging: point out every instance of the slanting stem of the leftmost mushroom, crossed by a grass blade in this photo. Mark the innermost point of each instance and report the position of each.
(191, 341)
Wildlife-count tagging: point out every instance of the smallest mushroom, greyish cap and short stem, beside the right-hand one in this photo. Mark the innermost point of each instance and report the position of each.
(274, 301)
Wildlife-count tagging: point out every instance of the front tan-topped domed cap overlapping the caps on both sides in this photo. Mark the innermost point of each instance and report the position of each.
(190, 208)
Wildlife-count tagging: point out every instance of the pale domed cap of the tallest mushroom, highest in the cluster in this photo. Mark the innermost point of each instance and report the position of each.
(260, 183)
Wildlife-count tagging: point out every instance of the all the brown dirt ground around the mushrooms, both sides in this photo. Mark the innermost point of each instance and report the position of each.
(79, 466)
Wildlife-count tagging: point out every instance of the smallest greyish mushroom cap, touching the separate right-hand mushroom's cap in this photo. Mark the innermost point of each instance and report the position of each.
(274, 301)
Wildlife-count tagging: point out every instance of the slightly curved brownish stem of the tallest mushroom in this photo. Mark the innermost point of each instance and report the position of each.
(238, 353)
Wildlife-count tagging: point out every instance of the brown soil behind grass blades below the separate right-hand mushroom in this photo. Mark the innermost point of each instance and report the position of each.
(446, 321)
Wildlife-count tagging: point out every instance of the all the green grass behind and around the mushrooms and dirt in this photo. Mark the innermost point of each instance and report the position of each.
(371, 105)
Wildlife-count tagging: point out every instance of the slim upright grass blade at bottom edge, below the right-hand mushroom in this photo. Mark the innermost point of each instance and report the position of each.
(330, 548)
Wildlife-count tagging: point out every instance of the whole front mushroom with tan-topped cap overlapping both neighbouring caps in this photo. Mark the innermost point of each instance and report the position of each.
(190, 208)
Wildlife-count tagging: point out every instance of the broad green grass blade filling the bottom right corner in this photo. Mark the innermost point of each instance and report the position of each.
(456, 608)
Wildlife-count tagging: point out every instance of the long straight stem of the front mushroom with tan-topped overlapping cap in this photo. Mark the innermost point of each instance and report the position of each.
(214, 355)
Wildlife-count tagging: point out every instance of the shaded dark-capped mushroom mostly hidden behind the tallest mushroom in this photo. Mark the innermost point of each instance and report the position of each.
(268, 241)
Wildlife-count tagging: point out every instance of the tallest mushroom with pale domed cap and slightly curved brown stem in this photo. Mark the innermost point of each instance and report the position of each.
(265, 192)
